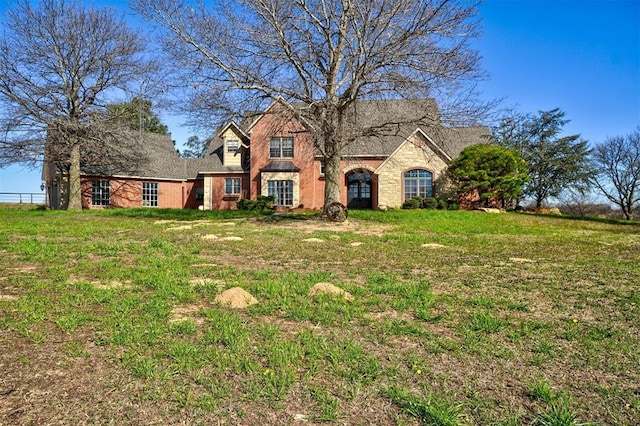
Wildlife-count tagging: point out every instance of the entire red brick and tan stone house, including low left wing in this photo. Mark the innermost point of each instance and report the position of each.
(393, 157)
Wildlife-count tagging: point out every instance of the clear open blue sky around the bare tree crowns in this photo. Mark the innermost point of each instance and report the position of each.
(582, 56)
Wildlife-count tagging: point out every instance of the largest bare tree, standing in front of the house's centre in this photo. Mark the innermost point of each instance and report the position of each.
(321, 56)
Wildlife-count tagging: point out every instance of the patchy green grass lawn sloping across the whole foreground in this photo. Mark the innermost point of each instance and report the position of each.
(457, 318)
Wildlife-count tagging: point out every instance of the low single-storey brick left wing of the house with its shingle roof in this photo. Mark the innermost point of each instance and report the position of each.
(141, 170)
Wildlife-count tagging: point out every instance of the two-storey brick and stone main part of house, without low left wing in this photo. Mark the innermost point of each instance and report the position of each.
(272, 154)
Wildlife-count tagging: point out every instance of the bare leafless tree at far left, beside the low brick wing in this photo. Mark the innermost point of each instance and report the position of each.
(59, 63)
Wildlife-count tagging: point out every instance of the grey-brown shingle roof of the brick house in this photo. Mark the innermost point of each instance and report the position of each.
(382, 125)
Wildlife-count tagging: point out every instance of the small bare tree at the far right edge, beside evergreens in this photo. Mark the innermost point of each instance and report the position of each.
(617, 160)
